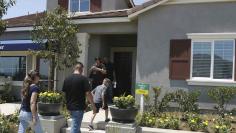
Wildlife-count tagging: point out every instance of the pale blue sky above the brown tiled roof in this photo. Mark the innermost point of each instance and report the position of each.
(24, 7)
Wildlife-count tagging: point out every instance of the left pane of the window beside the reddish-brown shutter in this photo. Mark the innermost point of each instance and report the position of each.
(201, 59)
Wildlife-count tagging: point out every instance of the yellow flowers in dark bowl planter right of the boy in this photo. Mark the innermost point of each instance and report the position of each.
(124, 109)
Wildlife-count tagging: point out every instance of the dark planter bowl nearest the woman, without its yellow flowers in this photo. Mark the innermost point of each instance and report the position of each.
(49, 109)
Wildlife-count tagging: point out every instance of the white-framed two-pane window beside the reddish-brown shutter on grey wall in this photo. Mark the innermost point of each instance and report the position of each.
(213, 59)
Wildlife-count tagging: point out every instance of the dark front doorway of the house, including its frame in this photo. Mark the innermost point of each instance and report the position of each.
(124, 60)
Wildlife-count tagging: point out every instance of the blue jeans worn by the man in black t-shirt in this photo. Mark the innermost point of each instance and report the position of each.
(77, 117)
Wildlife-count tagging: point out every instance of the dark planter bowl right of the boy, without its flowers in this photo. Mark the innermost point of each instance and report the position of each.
(123, 115)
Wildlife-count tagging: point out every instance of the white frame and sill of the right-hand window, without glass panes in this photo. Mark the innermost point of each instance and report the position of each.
(213, 81)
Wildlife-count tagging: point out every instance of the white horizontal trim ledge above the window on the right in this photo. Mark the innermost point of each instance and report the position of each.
(211, 35)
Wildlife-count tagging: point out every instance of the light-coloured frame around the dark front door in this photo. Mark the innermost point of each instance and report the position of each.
(133, 50)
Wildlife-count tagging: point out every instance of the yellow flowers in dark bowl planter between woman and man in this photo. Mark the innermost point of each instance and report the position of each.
(50, 103)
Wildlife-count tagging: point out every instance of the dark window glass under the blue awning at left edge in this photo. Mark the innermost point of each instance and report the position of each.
(14, 67)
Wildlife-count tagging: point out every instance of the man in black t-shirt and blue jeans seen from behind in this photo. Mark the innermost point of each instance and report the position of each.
(77, 88)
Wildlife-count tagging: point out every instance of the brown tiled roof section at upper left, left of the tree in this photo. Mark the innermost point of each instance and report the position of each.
(23, 21)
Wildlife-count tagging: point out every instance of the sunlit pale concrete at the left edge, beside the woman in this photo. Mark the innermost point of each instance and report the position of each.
(9, 108)
